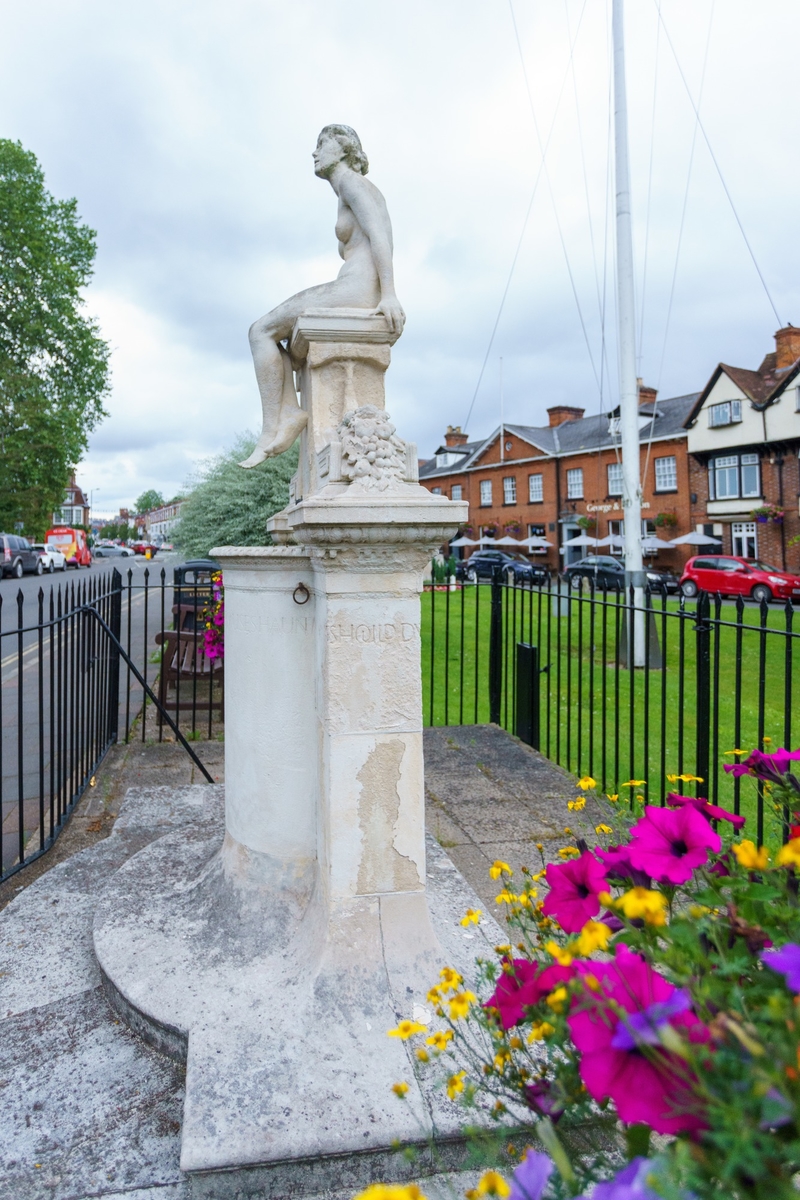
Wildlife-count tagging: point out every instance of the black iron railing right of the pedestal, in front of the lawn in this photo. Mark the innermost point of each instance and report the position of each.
(551, 665)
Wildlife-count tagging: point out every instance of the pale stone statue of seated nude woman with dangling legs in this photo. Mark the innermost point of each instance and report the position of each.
(366, 281)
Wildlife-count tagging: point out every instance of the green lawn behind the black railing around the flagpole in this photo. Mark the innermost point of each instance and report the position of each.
(591, 723)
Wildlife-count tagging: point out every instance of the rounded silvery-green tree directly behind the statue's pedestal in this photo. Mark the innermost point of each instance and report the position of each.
(230, 507)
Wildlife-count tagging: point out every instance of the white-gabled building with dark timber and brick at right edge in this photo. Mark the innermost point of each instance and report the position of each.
(744, 439)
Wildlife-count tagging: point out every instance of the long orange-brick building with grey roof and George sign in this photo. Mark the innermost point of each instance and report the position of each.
(564, 479)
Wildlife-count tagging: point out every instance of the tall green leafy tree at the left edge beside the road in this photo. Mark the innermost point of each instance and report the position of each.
(55, 367)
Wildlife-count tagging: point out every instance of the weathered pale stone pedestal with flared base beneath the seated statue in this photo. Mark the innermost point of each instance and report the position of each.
(279, 961)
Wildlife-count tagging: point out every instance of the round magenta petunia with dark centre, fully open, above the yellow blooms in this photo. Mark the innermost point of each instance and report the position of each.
(670, 844)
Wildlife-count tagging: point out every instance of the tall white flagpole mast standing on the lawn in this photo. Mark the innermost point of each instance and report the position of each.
(629, 391)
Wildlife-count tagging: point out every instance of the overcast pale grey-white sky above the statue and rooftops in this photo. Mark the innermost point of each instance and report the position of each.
(185, 131)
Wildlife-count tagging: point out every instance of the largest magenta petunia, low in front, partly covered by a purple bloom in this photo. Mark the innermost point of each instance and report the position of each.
(653, 1088)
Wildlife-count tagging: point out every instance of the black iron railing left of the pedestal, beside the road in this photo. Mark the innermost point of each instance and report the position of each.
(86, 664)
